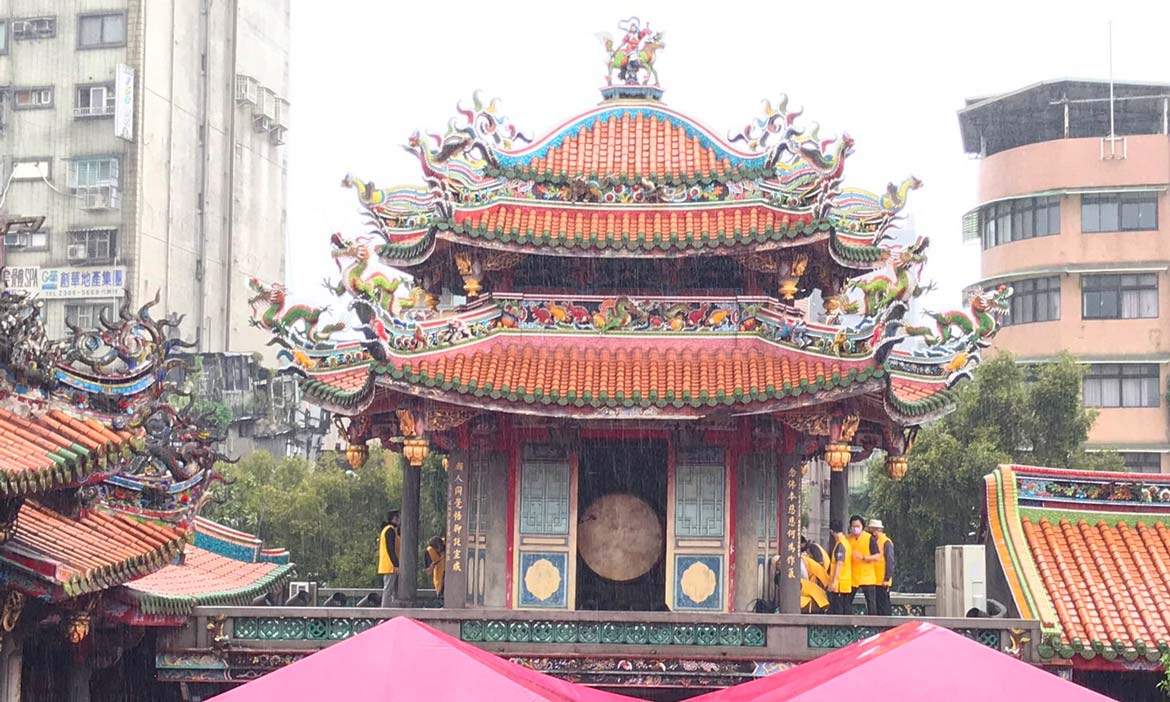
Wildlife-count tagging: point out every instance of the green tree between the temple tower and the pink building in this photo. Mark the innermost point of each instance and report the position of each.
(1008, 415)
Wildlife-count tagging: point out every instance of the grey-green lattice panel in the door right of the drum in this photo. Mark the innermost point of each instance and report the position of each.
(699, 493)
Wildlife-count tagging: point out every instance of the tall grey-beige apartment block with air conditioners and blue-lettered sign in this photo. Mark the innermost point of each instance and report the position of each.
(150, 136)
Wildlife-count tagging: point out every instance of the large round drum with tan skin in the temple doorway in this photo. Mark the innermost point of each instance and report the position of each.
(621, 538)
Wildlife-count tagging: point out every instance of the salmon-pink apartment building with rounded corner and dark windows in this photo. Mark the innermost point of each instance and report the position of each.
(1075, 215)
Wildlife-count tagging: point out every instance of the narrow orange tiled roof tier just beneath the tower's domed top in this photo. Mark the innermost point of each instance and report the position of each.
(622, 226)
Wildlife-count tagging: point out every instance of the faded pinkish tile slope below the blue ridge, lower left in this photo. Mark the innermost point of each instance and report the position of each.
(204, 579)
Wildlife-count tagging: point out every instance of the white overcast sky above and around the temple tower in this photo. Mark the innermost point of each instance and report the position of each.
(893, 75)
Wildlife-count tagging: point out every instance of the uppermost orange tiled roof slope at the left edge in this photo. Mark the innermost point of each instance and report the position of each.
(47, 451)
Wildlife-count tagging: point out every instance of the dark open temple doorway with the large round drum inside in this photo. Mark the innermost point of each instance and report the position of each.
(622, 525)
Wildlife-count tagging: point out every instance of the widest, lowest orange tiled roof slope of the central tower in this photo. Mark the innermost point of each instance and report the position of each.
(574, 371)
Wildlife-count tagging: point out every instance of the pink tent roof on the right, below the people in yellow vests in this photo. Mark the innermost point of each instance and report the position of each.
(914, 663)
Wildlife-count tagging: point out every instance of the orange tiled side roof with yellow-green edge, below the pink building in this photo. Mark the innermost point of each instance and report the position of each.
(1089, 555)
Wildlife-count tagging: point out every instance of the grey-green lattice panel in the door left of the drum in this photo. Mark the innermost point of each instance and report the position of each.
(545, 491)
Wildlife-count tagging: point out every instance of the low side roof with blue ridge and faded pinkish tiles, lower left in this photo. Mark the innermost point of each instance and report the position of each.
(223, 567)
